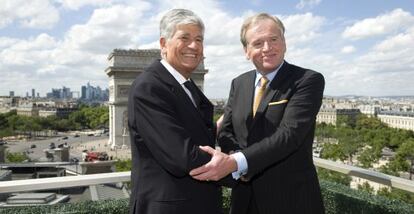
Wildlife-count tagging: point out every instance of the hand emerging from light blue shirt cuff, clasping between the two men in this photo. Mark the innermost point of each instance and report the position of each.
(219, 166)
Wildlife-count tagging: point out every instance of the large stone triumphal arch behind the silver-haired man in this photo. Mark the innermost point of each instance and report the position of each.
(124, 67)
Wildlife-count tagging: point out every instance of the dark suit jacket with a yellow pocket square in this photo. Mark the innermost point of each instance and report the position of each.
(277, 142)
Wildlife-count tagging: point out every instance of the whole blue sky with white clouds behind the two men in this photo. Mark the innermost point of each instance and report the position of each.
(362, 47)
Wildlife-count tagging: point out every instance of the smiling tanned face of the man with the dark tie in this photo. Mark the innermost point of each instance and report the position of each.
(184, 50)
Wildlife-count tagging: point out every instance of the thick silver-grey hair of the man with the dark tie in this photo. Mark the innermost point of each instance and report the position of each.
(175, 17)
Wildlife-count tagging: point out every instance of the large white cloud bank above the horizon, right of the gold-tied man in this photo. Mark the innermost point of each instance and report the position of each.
(382, 70)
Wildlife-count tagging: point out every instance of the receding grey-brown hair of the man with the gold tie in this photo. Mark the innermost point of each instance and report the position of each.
(253, 20)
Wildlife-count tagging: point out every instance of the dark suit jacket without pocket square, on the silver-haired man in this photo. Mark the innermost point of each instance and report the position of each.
(166, 130)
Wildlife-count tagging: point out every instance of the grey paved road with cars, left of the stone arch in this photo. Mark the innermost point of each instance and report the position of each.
(40, 145)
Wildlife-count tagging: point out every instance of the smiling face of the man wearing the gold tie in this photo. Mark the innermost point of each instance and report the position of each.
(266, 45)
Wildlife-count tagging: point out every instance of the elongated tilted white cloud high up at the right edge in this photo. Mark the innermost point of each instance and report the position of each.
(384, 24)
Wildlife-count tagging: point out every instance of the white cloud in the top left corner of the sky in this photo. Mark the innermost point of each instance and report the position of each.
(39, 14)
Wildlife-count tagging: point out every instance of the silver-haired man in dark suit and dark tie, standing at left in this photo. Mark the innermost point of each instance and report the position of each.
(169, 118)
